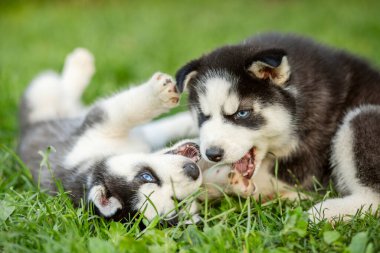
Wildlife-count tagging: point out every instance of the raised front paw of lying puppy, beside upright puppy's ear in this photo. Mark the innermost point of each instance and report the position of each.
(165, 89)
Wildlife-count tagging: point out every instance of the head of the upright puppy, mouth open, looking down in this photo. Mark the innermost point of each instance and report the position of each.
(243, 100)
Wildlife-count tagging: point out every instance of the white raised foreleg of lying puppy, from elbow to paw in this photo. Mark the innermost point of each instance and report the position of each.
(135, 106)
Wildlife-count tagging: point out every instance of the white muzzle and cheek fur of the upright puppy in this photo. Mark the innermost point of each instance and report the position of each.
(276, 135)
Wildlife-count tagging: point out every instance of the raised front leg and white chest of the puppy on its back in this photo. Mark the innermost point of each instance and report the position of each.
(106, 127)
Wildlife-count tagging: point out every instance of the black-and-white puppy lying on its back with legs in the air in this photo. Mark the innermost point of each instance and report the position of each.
(100, 152)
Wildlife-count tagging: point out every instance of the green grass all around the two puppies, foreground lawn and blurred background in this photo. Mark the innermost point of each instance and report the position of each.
(130, 41)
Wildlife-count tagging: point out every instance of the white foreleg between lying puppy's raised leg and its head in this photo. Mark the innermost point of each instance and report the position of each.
(158, 133)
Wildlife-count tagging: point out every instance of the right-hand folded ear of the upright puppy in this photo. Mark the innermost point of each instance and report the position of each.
(272, 65)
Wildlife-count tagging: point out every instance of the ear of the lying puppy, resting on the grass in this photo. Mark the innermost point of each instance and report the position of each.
(107, 205)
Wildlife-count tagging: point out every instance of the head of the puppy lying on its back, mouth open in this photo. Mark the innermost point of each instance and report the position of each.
(152, 184)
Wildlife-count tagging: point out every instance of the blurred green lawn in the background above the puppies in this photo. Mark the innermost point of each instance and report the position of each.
(133, 39)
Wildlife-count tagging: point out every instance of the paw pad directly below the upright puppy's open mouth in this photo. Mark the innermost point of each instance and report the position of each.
(239, 185)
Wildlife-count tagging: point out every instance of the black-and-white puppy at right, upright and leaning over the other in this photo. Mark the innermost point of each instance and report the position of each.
(315, 109)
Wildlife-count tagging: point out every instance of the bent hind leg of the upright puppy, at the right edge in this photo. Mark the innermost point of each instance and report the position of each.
(356, 157)
